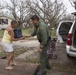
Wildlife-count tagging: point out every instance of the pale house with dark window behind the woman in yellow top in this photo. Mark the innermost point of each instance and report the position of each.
(5, 20)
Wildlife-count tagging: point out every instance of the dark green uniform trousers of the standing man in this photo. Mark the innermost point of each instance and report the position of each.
(44, 61)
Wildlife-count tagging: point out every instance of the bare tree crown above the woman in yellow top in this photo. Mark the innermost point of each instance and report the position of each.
(18, 9)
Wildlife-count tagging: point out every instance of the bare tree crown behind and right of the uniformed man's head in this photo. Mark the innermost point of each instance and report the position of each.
(50, 12)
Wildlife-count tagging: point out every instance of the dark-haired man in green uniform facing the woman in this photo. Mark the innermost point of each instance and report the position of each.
(41, 30)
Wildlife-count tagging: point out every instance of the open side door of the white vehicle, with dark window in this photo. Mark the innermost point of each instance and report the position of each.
(62, 30)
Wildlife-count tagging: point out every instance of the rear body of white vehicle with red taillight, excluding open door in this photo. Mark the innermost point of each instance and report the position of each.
(71, 41)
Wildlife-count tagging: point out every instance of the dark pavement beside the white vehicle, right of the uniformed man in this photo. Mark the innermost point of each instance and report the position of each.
(62, 65)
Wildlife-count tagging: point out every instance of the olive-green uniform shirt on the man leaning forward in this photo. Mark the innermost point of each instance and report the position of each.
(42, 32)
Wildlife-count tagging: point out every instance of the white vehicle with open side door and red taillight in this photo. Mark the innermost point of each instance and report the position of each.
(66, 32)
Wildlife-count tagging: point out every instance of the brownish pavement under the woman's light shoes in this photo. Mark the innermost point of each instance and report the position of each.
(22, 68)
